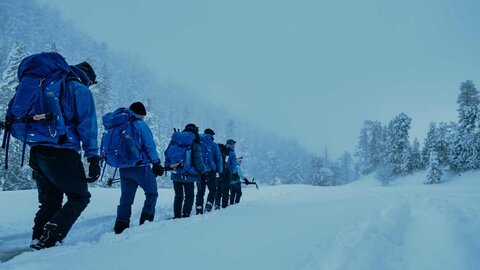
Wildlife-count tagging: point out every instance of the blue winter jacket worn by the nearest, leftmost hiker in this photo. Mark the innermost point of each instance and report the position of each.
(79, 109)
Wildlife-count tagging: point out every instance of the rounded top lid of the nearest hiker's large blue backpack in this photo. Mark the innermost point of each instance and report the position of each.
(42, 64)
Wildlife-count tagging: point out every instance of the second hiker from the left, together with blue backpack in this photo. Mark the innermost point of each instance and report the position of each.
(128, 144)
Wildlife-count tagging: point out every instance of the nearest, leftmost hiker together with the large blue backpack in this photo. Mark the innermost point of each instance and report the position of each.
(53, 111)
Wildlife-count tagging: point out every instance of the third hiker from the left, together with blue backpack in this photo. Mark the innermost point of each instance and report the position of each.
(185, 156)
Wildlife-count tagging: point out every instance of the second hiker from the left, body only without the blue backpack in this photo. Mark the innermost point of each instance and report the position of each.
(140, 175)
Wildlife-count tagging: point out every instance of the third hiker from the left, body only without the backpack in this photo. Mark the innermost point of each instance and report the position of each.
(184, 184)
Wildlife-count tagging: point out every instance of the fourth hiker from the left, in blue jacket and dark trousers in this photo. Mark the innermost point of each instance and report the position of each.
(213, 163)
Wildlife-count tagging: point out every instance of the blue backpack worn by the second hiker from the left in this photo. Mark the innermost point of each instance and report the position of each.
(121, 144)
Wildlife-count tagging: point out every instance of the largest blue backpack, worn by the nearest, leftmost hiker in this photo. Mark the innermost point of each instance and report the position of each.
(35, 114)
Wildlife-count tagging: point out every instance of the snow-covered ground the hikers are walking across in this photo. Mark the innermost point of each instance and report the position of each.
(406, 225)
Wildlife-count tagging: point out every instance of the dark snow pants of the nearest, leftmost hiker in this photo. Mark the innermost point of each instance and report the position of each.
(58, 171)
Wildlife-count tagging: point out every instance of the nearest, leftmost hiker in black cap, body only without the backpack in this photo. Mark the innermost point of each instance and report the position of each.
(58, 168)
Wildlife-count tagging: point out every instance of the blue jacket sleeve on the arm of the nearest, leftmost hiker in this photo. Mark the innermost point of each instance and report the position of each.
(87, 120)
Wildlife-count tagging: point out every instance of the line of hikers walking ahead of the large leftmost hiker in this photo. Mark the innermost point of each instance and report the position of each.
(191, 157)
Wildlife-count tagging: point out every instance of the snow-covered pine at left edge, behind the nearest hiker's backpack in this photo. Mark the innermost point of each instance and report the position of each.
(15, 177)
